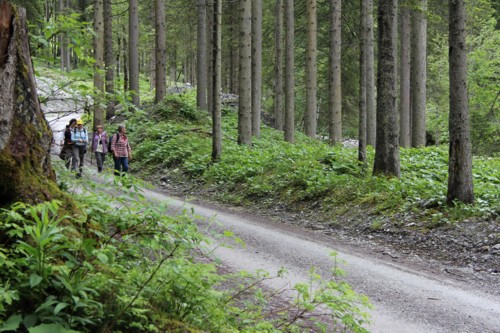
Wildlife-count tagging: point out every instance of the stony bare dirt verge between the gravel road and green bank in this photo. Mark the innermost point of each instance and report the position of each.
(457, 251)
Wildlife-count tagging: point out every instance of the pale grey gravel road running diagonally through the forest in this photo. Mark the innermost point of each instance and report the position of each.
(406, 300)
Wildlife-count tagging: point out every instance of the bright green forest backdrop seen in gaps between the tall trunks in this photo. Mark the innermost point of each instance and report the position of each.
(67, 25)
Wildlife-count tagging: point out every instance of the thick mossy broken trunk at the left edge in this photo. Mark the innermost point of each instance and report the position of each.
(25, 137)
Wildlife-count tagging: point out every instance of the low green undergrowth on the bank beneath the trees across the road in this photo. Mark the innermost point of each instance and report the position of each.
(175, 139)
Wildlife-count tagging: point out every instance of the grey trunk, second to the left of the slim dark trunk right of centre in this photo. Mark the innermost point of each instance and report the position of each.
(311, 70)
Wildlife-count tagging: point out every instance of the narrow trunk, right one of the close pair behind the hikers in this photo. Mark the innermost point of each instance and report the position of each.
(109, 59)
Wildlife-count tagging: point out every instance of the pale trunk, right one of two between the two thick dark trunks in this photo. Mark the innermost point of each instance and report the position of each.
(419, 75)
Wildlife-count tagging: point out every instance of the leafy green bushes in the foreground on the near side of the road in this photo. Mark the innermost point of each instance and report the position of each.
(121, 263)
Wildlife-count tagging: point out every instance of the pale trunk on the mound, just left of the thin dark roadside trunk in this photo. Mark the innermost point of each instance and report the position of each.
(201, 69)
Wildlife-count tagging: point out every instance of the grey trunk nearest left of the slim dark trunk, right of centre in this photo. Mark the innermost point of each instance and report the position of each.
(335, 101)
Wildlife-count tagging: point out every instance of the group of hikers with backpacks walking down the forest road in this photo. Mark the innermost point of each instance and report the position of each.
(76, 140)
